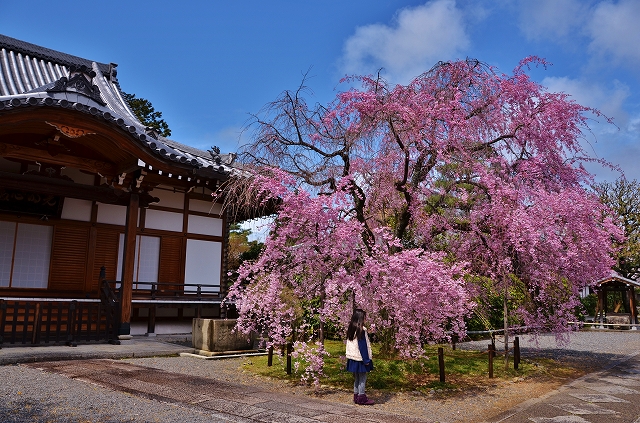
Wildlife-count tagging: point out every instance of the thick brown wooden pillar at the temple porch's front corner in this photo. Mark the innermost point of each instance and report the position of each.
(130, 233)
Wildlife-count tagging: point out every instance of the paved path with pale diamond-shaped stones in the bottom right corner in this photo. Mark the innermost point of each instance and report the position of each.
(609, 396)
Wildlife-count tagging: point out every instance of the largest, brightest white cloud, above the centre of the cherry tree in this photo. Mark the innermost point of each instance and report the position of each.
(418, 38)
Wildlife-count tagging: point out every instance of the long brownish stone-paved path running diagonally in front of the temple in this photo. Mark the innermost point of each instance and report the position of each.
(227, 402)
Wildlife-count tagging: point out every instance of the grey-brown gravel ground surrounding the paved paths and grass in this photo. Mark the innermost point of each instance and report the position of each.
(29, 395)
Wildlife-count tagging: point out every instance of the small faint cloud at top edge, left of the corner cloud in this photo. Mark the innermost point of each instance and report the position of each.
(552, 19)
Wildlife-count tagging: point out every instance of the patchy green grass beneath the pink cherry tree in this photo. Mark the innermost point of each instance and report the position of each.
(463, 369)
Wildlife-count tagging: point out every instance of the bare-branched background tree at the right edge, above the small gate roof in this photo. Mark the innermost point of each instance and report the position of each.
(623, 198)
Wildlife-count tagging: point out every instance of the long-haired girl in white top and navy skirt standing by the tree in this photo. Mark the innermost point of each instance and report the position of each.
(359, 356)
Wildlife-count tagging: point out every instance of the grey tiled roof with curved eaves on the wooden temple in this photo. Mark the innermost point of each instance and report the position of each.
(34, 76)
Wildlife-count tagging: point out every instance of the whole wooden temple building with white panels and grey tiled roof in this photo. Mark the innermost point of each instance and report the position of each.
(105, 226)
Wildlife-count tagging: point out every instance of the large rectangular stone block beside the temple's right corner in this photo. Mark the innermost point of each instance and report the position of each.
(218, 335)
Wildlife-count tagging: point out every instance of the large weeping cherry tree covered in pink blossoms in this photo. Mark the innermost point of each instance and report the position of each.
(396, 198)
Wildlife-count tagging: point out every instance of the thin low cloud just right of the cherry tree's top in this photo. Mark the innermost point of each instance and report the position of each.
(608, 101)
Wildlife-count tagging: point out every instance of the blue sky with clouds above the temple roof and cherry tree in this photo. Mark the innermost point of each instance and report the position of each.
(207, 65)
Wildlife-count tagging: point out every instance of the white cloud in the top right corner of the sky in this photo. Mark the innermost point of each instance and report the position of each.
(615, 31)
